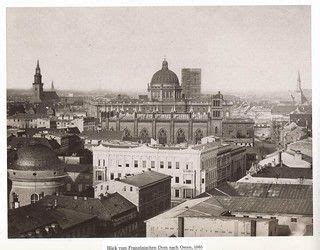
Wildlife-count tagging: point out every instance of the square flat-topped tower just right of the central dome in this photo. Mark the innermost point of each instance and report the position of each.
(191, 83)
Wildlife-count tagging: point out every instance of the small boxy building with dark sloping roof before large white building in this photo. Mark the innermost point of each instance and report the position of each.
(149, 191)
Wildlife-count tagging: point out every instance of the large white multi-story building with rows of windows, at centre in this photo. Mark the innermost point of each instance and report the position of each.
(194, 169)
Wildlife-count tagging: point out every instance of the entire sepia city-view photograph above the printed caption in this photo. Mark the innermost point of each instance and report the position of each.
(159, 121)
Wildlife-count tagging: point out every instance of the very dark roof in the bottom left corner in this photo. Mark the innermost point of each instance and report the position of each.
(28, 218)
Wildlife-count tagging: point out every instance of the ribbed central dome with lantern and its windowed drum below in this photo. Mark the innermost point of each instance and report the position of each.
(165, 85)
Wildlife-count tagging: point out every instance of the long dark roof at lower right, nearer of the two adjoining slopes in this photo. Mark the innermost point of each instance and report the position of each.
(266, 205)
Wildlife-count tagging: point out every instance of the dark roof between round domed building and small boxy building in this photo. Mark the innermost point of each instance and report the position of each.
(105, 208)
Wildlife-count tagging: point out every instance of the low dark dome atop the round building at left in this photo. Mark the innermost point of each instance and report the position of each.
(36, 158)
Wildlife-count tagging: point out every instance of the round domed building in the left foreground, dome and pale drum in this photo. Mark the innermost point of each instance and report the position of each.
(36, 172)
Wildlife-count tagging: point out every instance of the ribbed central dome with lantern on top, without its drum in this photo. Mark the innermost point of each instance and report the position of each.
(165, 76)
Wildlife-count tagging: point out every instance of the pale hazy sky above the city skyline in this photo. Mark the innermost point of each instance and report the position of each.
(237, 48)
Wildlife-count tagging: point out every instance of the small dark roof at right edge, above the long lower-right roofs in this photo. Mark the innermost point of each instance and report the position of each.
(284, 172)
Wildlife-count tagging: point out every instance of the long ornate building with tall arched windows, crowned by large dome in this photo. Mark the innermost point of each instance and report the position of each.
(167, 116)
